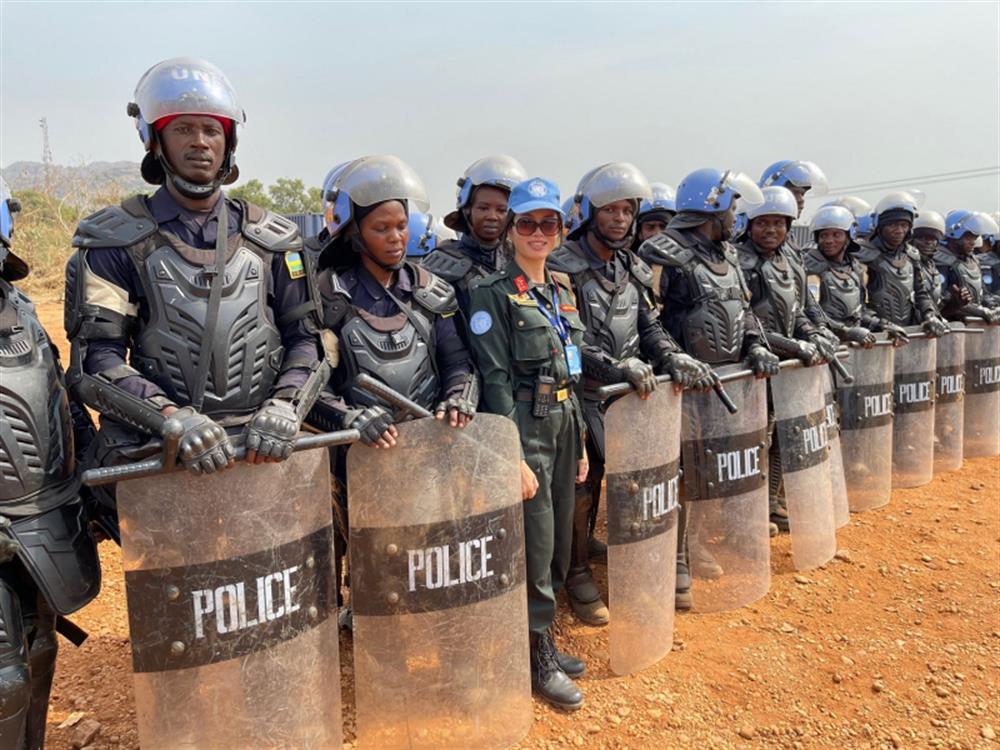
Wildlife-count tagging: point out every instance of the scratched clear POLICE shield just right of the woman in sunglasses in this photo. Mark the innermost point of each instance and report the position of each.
(642, 505)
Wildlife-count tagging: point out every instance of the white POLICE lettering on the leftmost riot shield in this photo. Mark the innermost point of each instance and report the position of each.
(272, 596)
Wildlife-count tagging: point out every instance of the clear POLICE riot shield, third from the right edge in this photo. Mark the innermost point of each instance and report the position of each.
(913, 412)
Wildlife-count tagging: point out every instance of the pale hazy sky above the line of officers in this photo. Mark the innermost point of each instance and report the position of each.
(869, 91)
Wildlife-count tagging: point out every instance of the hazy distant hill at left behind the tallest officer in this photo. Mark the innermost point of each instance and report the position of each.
(103, 177)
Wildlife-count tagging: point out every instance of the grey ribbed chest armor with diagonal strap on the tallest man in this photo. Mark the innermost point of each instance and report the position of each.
(246, 351)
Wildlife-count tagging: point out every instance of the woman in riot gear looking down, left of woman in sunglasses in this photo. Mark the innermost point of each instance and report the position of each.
(390, 318)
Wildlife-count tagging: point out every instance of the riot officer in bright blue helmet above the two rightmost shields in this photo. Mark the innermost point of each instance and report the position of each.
(962, 282)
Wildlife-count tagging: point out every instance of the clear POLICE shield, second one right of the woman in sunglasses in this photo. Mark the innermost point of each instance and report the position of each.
(725, 486)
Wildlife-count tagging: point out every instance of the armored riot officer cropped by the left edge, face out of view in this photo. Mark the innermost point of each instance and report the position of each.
(48, 558)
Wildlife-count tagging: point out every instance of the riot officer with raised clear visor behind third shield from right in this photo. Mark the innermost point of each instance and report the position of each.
(896, 290)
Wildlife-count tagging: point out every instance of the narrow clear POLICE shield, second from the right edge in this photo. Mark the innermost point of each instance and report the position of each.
(949, 409)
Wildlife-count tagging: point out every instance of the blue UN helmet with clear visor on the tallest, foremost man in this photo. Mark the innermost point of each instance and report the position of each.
(185, 86)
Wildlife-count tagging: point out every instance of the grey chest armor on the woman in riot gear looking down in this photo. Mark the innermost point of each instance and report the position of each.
(398, 350)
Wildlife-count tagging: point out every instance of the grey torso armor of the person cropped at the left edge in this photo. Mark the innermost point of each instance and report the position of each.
(36, 436)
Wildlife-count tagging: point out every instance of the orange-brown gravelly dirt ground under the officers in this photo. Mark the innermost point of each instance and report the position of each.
(894, 644)
